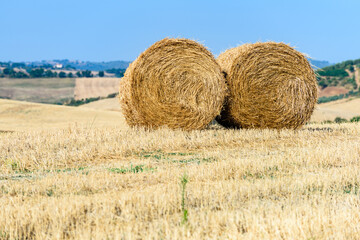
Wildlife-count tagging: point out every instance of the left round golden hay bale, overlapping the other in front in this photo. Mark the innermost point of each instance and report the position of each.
(175, 83)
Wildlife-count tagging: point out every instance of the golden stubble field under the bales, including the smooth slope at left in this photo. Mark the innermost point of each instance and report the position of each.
(100, 179)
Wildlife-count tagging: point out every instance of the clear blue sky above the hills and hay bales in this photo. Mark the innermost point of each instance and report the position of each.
(120, 30)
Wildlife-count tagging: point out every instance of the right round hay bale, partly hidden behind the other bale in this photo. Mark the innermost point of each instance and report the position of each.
(271, 85)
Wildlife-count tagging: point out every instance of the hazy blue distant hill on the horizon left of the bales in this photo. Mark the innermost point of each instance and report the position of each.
(83, 65)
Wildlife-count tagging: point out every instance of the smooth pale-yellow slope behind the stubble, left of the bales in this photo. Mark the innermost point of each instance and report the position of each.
(24, 116)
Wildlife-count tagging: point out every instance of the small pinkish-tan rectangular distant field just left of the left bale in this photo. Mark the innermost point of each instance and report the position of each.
(95, 87)
